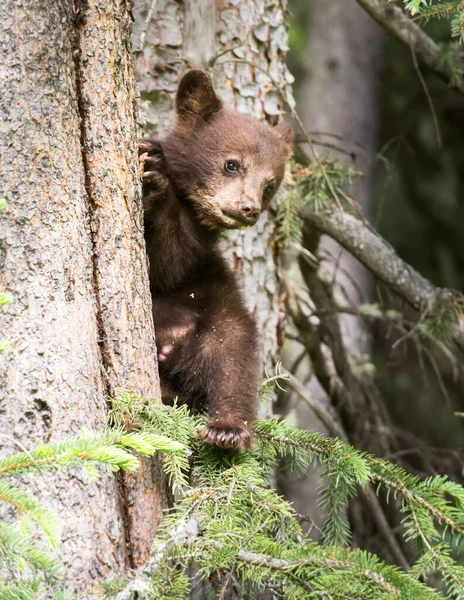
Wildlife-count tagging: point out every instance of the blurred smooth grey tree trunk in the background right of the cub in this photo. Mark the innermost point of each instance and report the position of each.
(339, 106)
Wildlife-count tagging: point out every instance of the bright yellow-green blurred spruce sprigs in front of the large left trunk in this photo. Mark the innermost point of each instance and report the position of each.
(32, 530)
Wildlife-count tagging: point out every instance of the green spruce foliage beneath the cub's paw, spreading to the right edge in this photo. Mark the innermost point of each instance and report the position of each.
(234, 530)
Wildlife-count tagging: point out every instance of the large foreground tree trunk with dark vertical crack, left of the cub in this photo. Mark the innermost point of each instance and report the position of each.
(73, 258)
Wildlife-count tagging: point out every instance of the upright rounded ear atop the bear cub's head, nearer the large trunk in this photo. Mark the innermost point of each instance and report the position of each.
(196, 99)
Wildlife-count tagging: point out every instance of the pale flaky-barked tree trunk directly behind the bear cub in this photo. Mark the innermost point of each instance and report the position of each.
(251, 43)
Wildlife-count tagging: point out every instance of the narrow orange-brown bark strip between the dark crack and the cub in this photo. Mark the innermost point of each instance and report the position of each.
(127, 343)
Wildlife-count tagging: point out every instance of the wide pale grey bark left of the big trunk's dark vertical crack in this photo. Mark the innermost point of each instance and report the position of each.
(51, 383)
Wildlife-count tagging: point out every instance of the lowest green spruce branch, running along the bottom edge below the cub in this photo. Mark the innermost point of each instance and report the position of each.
(325, 572)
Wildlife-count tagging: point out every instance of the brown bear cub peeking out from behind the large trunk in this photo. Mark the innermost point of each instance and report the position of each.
(217, 170)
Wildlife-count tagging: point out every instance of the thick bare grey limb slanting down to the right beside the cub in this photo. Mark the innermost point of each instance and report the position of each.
(383, 262)
